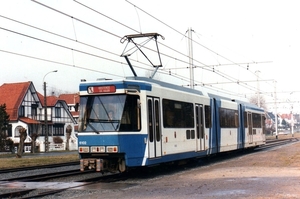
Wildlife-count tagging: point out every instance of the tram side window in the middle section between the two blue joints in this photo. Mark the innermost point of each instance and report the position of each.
(228, 118)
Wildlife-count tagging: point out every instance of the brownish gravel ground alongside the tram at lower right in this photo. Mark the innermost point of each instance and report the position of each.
(269, 174)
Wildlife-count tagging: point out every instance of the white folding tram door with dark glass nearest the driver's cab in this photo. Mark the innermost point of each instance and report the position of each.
(154, 128)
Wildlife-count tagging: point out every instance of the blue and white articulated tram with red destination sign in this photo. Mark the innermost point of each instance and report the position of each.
(142, 122)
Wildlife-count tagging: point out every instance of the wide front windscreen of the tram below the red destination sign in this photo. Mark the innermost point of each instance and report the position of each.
(109, 113)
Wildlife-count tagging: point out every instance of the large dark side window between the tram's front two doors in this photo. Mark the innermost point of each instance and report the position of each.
(177, 114)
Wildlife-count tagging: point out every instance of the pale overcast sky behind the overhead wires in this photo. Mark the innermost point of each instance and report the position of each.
(233, 40)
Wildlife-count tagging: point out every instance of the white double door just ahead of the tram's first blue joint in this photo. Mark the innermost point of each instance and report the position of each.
(200, 127)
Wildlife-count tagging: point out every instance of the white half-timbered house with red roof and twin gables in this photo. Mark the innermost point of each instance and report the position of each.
(26, 110)
